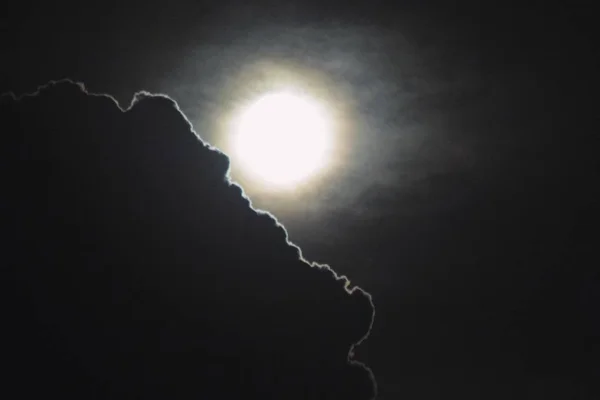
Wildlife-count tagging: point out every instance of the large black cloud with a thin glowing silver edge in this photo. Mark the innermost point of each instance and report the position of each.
(133, 267)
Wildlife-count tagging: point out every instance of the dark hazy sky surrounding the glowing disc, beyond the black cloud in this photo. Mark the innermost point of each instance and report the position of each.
(466, 200)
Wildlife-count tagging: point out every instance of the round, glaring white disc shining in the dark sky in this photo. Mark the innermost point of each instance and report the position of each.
(283, 138)
